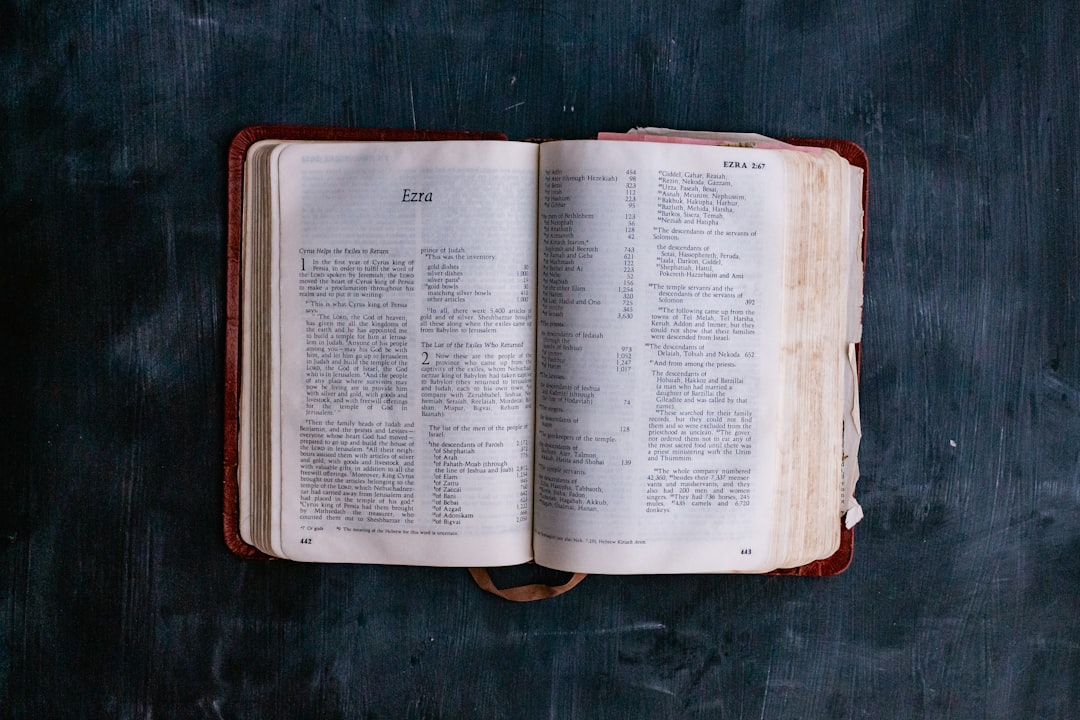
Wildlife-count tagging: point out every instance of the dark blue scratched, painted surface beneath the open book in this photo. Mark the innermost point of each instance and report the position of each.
(118, 597)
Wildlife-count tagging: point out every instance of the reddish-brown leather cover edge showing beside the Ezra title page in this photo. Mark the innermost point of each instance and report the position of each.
(238, 153)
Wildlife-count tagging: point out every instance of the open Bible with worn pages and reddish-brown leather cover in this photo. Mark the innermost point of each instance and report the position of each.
(634, 355)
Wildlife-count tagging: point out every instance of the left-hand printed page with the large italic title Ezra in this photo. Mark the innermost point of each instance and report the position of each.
(406, 300)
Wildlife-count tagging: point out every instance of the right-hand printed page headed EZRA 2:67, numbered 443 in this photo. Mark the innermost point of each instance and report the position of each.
(659, 336)
